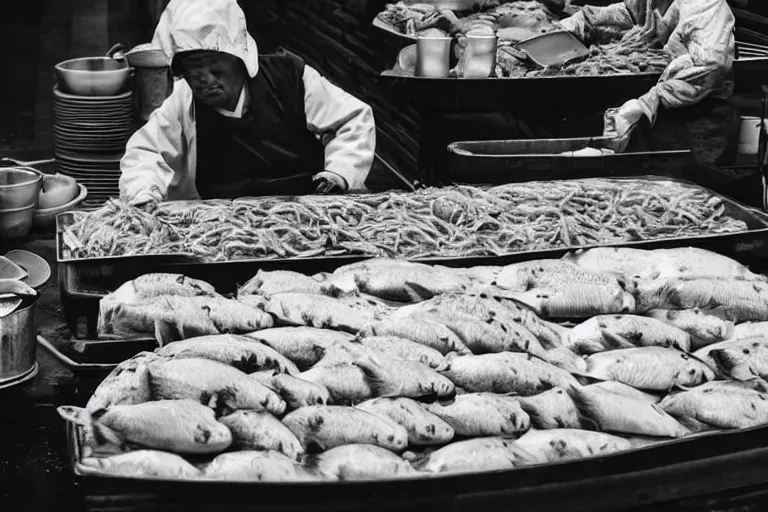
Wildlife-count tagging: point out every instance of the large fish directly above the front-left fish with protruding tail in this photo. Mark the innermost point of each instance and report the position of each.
(212, 383)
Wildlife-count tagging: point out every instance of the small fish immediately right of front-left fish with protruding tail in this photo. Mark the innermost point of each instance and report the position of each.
(255, 430)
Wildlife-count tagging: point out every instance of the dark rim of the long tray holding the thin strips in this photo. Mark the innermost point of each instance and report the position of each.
(83, 283)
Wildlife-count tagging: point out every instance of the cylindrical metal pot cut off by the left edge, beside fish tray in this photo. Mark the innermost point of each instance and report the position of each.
(18, 344)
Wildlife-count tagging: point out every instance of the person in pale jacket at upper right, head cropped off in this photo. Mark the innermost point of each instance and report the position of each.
(690, 107)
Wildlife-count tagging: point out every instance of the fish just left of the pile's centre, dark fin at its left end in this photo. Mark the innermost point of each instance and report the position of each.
(398, 378)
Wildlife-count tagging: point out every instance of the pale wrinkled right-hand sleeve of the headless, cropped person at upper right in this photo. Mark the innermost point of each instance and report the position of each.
(702, 45)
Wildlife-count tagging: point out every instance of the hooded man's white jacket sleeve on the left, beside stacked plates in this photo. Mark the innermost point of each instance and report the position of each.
(156, 152)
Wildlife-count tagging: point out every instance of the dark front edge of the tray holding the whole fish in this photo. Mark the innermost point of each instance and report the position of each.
(654, 478)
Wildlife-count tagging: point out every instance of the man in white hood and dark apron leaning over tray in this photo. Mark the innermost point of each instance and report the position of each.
(239, 124)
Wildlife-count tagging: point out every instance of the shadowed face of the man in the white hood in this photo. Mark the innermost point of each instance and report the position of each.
(216, 78)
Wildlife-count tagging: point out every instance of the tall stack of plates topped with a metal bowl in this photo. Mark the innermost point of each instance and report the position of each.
(93, 119)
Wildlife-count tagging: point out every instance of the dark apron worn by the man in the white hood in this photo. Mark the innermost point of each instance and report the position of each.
(270, 151)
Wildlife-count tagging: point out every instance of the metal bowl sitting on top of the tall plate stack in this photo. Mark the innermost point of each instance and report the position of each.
(93, 76)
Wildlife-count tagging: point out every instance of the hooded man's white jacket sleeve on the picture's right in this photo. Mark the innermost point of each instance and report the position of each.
(346, 126)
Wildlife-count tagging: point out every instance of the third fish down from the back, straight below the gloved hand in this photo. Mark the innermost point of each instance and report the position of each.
(607, 332)
